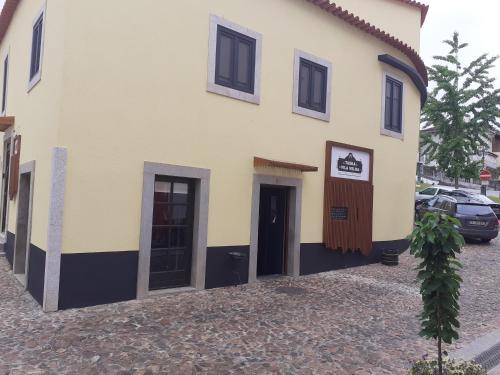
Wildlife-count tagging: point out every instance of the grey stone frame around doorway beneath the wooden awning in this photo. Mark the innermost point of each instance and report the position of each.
(294, 222)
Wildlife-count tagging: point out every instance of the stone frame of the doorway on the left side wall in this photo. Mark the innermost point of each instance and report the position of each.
(23, 223)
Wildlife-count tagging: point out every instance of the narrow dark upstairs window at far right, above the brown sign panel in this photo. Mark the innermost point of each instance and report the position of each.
(393, 117)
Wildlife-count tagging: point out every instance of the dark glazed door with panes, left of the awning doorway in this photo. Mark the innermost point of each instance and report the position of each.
(172, 233)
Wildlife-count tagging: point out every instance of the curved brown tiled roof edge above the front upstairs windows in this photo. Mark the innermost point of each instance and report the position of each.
(368, 28)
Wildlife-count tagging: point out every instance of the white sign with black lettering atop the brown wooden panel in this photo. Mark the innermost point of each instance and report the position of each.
(350, 164)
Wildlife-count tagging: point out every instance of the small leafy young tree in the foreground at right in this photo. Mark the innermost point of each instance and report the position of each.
(436, 242)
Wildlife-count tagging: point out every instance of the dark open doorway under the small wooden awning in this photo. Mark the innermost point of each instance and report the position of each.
(272, 231)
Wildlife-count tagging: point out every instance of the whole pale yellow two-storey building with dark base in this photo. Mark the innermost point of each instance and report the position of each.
(153, 146)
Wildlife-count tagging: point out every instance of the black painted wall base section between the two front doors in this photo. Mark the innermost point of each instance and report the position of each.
(224, 269)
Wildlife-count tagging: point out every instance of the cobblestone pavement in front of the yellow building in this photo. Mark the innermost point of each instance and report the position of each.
(354, 321)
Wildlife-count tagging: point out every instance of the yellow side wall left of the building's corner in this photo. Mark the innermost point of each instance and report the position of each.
(37, 112)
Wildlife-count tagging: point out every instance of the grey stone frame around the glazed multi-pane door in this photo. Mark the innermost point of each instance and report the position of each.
(200, 225)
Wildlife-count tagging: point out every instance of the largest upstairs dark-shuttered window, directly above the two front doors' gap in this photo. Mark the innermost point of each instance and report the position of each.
(235, 60)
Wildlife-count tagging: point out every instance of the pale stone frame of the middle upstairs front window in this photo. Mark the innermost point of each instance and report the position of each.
(299, 54)
